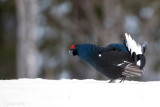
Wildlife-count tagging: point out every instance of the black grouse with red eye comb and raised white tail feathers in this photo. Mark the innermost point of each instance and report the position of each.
(116, 60)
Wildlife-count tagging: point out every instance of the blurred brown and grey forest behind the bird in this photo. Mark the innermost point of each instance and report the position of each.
(35, 35)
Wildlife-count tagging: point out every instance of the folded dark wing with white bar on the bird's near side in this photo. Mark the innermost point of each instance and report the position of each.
(123, 60)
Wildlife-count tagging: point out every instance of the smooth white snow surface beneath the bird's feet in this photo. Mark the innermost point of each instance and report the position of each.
(78, 93)
